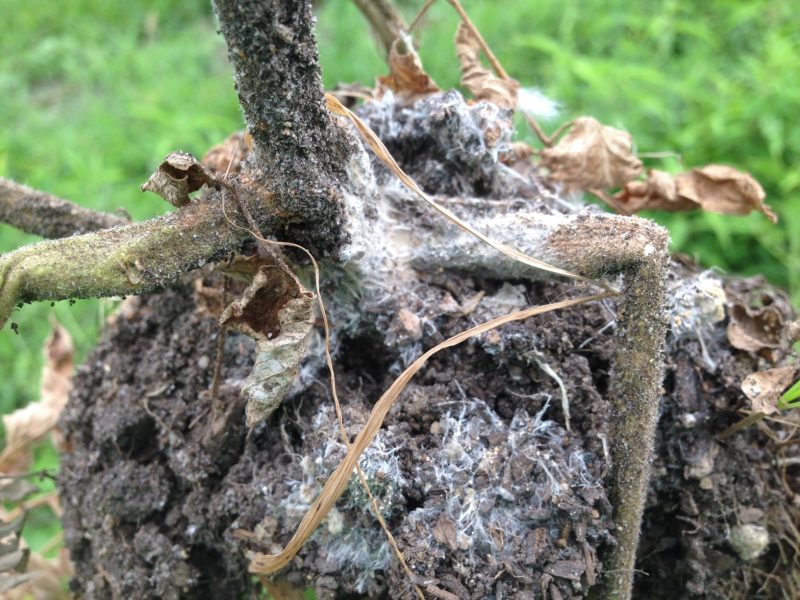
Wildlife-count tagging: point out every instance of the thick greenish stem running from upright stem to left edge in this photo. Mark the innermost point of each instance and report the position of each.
(125, 260)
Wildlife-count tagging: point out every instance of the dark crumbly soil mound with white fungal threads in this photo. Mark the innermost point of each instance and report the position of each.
(489, 496)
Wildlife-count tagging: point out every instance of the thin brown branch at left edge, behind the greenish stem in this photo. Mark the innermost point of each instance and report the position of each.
(39, 213)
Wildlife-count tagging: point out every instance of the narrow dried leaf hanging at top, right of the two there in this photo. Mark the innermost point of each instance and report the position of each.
(481, 82)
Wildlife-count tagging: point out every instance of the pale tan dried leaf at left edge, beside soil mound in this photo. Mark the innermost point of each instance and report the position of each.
(31, 423)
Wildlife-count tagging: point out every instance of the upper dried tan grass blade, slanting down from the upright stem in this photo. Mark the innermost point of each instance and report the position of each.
(383, 153)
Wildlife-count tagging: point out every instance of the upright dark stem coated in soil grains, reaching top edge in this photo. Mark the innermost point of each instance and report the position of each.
(299, 153)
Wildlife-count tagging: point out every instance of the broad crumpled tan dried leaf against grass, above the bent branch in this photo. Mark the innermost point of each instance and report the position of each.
(592, 156)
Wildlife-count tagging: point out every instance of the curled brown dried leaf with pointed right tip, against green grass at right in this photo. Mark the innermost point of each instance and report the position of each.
(723, 189)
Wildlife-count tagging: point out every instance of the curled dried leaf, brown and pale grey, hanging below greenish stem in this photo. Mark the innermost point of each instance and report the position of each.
(278, 313)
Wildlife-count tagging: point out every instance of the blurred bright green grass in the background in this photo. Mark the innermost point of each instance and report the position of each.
(93, 93)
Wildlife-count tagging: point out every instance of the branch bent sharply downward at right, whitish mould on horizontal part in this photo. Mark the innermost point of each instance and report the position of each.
(597, 246)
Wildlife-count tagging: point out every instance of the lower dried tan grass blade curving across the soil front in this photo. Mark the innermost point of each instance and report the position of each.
(337, 482)
